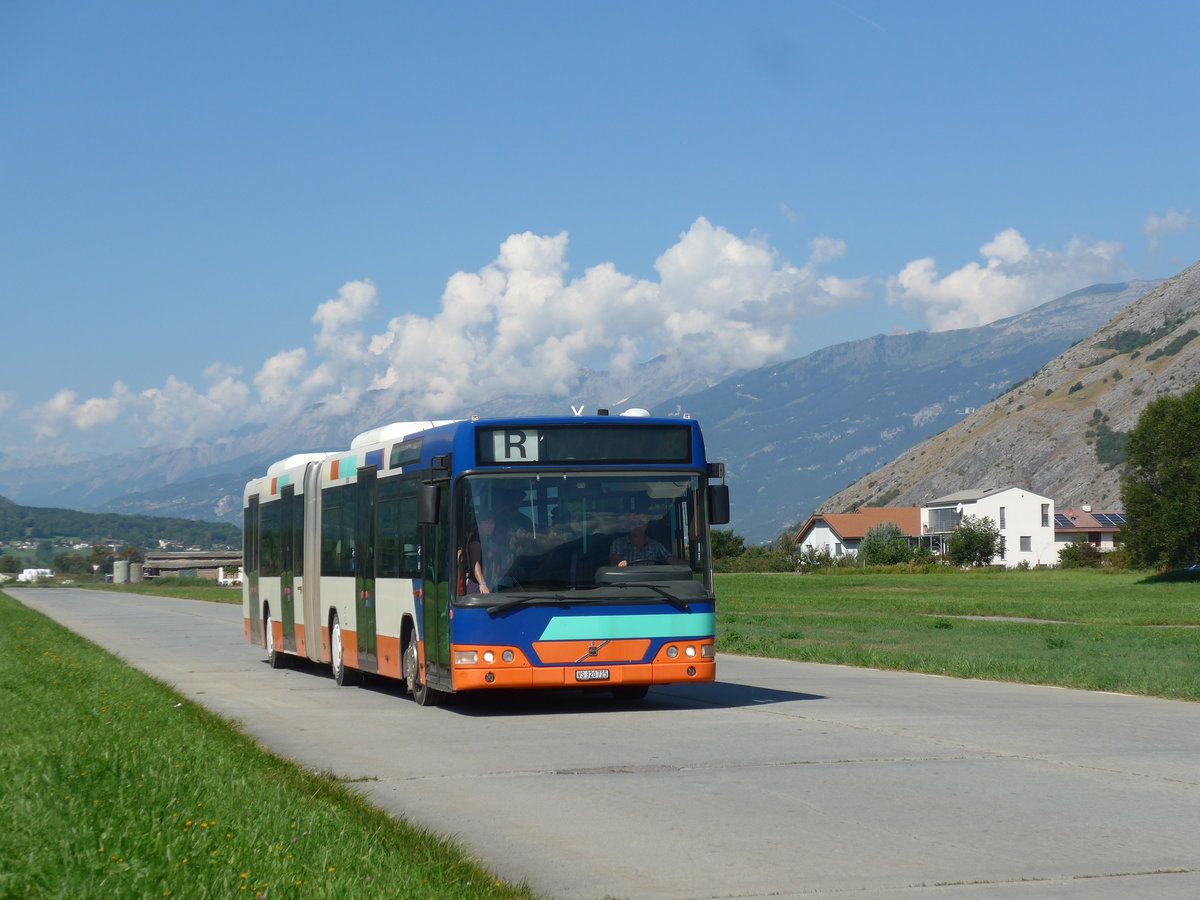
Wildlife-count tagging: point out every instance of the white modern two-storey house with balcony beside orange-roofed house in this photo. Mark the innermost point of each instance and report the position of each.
(1027, 523)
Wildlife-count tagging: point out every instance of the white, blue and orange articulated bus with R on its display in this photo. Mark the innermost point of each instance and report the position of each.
(465, 556)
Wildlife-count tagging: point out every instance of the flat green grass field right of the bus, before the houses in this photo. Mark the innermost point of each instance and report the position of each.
(1119, 632)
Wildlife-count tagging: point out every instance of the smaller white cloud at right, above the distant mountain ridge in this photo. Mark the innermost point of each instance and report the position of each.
(1013, 279)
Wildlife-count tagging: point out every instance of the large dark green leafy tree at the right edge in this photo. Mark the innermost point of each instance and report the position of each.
(1161, 489)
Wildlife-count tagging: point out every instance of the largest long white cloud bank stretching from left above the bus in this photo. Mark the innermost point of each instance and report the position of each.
(518, 326)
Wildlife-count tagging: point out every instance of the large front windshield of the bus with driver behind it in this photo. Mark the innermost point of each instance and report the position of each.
(542, 532)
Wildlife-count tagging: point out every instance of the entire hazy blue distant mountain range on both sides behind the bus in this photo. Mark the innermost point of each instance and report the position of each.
(791, 434)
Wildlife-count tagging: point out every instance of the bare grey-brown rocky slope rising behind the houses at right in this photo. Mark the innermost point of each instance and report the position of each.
(1059, 433)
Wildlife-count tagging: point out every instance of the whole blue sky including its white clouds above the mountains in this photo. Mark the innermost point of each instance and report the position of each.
(219, 214)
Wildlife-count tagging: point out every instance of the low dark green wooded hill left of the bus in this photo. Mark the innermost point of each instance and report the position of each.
(35, 525)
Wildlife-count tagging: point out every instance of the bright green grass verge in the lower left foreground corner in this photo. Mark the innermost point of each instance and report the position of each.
(116, 787)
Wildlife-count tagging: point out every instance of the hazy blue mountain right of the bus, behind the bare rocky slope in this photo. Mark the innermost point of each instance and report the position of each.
(796, 433)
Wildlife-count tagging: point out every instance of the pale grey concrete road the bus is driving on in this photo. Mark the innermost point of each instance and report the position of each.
(782, 781)
